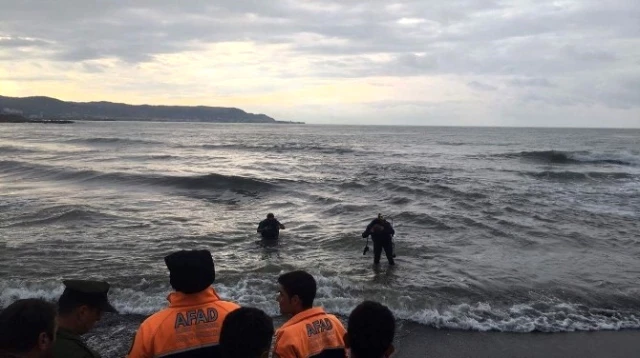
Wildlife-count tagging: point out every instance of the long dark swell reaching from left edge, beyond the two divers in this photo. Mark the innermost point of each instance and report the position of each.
(198, 182)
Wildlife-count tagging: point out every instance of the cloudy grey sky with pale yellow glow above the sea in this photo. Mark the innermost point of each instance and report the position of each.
(455, 62)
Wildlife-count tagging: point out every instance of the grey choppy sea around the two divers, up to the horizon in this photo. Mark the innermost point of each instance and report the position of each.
(497, 229)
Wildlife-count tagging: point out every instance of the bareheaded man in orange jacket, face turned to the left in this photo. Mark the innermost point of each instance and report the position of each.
(311, 332)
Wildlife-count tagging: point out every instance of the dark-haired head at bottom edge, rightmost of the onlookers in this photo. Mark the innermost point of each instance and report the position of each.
(370, 331)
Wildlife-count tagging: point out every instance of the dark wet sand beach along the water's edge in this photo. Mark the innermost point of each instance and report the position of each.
(414, 340)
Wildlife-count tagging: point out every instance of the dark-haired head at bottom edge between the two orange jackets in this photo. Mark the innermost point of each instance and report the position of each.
(246, 333)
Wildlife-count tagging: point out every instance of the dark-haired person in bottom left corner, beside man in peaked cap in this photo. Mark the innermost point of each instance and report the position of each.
(28, 329)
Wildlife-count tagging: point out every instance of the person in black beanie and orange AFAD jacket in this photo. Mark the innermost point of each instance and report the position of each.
(191, 325)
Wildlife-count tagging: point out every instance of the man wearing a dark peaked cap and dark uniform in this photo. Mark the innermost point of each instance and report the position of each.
(79, 308)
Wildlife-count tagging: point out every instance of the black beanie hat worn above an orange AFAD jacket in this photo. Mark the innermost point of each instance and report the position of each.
(190, 271)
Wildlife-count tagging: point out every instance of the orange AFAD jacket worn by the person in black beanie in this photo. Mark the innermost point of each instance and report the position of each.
(189, 326)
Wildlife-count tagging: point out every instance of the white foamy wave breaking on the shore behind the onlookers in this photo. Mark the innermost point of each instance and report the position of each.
(337, 295)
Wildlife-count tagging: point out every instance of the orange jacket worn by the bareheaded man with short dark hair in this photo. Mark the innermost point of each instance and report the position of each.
(311, 333)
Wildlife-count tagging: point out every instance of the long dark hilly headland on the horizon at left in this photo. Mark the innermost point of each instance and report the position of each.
(46, 107)
